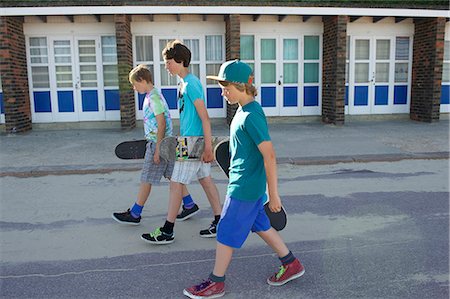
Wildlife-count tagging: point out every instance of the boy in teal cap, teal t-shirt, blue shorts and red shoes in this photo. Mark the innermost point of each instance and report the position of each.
(252, 166)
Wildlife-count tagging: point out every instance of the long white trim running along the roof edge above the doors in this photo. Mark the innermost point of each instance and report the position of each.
(243, 10)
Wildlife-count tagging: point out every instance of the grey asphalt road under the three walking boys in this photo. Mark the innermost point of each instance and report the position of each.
(362, 230)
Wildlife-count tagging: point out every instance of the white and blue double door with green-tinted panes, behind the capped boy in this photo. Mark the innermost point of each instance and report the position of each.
(287, 72)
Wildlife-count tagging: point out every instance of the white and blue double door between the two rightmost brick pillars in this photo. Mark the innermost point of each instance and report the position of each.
(378, 75)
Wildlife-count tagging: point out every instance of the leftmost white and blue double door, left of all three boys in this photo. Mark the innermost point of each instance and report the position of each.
(67, 84)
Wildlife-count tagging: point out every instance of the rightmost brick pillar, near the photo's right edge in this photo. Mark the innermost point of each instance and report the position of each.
(428, 56)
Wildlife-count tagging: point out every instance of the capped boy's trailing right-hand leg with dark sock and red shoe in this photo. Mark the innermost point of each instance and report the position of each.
(291, 268)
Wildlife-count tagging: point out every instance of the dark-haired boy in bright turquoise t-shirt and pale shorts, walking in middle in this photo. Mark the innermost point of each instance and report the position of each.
(194, 121)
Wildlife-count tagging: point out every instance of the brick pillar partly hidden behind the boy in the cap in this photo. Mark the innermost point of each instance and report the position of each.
(233, 50)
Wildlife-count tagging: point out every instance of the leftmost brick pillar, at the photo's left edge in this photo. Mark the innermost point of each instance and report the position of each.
(13, 69)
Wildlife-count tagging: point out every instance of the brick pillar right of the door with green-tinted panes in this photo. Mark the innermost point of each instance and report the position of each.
(333, 74)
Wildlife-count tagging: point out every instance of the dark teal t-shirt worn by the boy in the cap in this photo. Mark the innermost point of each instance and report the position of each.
(247, 174)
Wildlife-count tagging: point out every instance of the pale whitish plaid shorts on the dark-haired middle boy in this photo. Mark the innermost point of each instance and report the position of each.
(185, 171)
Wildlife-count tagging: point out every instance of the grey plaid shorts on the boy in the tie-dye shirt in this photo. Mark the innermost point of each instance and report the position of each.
(151, 172)
